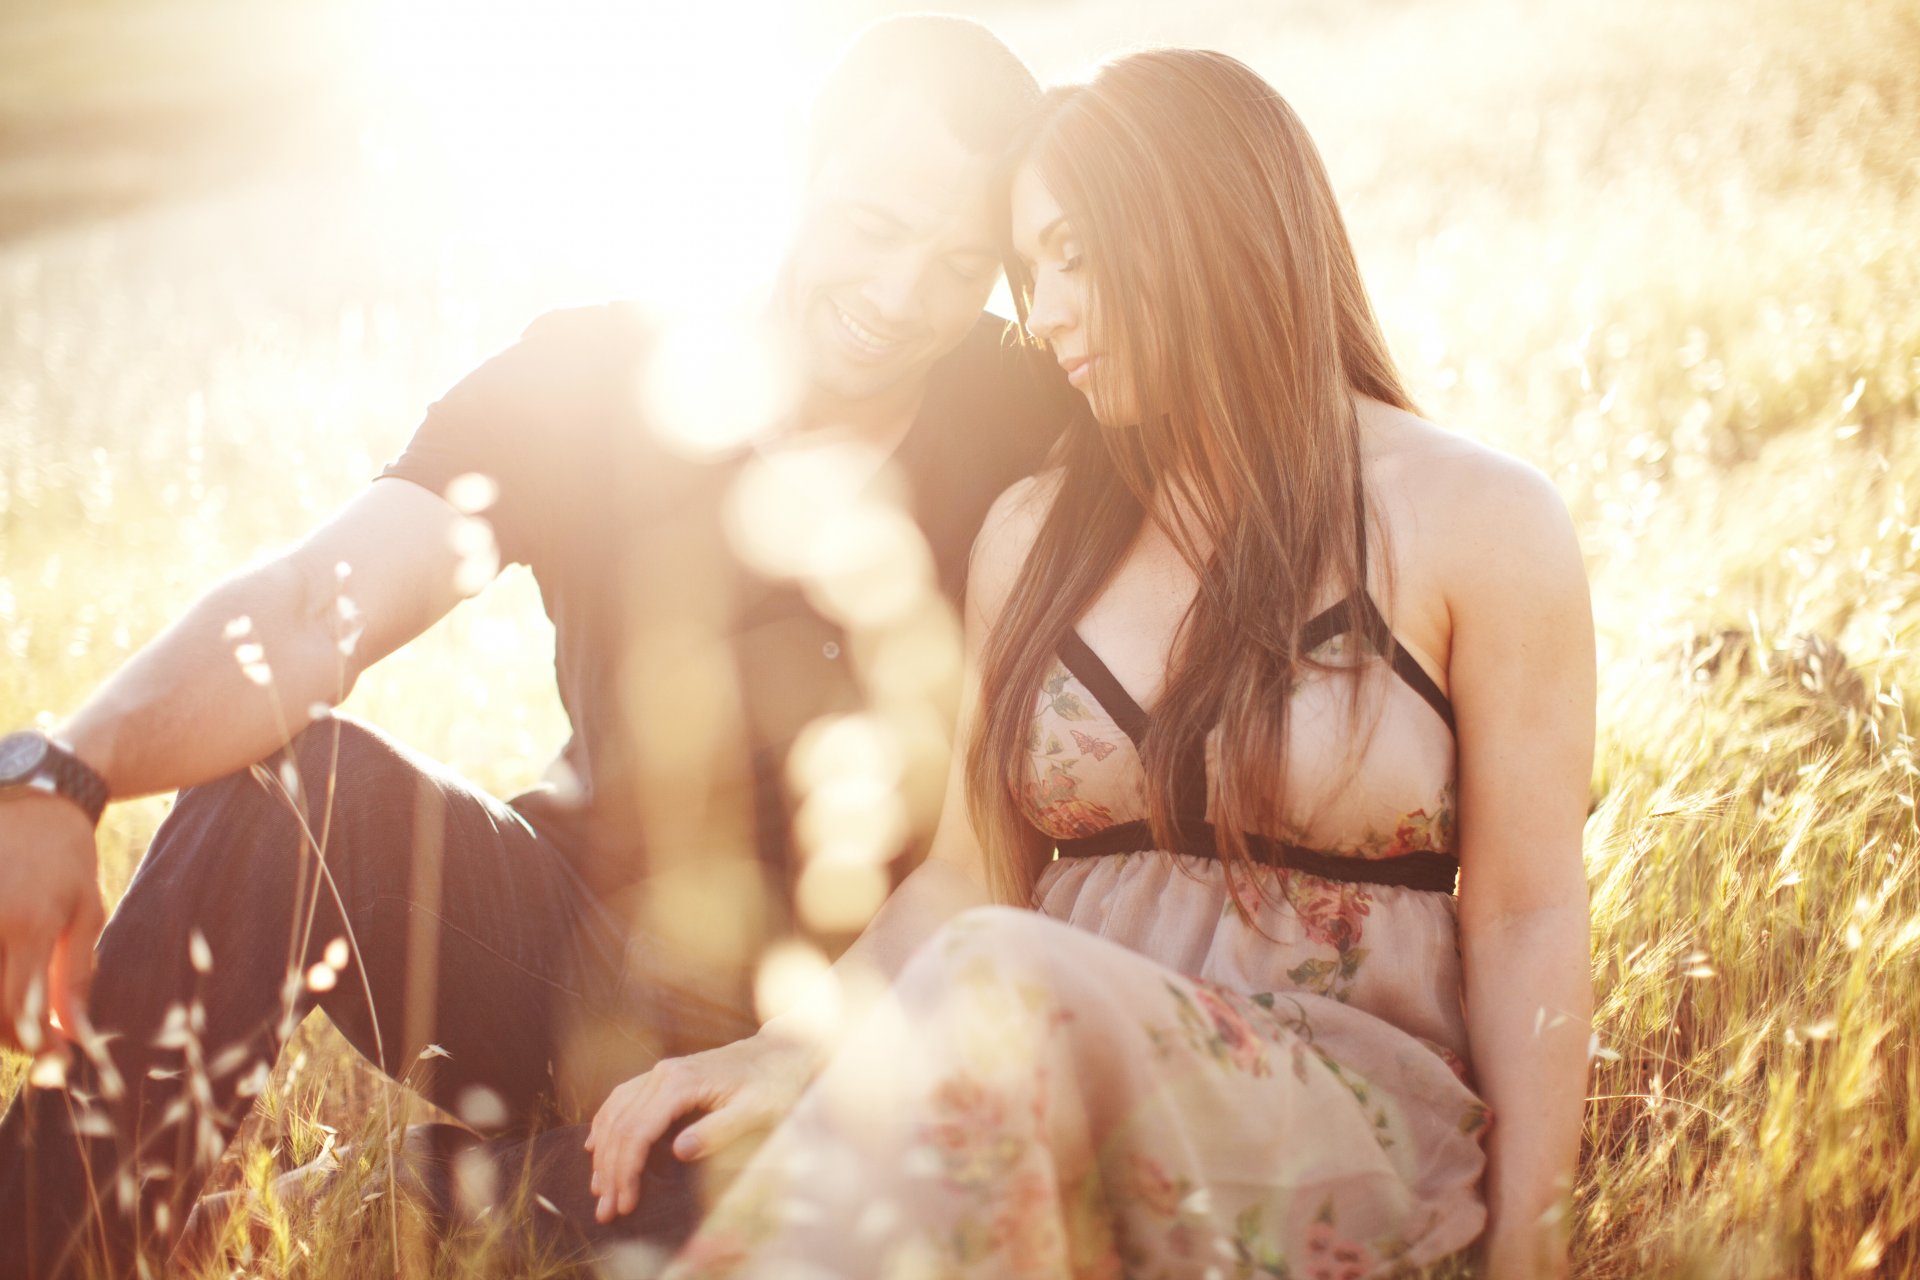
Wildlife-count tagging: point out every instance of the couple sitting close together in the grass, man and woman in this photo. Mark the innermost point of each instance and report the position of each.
(1249, 937)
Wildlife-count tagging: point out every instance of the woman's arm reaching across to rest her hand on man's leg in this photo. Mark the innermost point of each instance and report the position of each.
(752, 1083)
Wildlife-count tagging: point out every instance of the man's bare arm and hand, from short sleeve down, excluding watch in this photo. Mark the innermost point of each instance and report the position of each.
(226, 686)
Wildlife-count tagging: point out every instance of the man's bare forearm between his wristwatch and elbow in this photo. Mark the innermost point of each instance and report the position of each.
(226, 686)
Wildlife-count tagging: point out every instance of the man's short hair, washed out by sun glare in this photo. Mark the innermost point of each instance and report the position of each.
(978, 85)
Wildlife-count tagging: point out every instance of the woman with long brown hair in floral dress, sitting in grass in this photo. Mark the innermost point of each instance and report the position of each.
(1266, 659)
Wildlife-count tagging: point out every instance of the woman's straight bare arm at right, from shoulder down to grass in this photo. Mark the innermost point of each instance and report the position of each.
(1522, 680)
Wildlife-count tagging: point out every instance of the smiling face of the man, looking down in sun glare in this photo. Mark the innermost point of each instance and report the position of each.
(894, 256)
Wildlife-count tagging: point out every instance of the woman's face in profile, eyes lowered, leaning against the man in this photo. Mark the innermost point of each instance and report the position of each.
(1063, 300)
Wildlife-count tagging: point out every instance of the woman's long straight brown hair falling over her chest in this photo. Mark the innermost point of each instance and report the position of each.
(1226, 291)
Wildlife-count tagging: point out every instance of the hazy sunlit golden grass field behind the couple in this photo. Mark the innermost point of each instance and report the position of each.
(1668, 250)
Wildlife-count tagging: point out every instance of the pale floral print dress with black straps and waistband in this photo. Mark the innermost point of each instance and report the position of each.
(1138, 1079)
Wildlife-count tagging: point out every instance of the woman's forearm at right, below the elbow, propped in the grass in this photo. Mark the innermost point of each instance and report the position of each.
(1529, 1018)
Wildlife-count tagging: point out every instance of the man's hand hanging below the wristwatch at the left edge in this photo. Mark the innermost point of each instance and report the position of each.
(51, 916)
